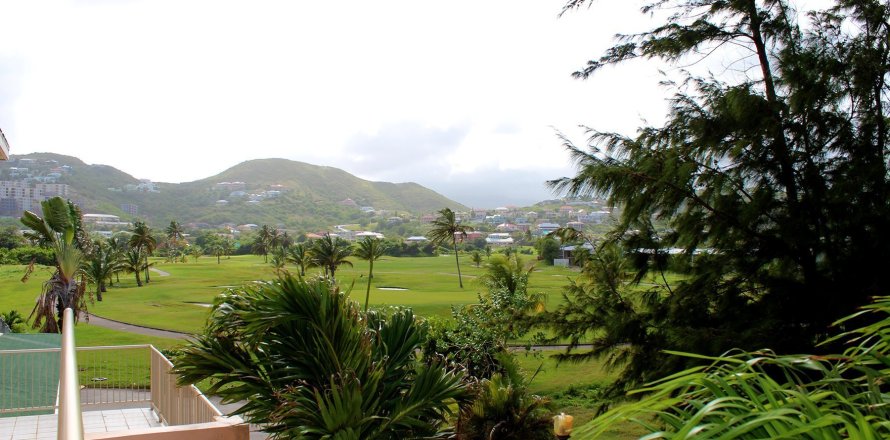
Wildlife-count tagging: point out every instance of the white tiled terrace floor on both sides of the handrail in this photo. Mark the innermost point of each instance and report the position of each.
(44, 427)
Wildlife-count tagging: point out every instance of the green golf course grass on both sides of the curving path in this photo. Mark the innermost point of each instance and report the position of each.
(174, 303)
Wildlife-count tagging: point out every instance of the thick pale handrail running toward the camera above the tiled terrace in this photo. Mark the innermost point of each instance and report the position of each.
(70, 419)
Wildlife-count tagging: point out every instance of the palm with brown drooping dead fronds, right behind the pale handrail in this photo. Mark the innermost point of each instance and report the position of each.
(60, 229)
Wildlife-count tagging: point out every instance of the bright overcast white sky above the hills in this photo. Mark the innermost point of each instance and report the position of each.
(463, 97)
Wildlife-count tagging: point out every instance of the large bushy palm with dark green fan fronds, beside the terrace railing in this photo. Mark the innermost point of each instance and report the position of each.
(308, 364)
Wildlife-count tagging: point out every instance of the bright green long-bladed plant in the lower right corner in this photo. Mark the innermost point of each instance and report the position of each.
(755, 395)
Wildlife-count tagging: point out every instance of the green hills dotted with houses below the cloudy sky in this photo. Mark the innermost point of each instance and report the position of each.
(281, 192)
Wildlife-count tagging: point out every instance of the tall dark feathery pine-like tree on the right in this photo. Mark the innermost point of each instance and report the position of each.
(774, 183)
